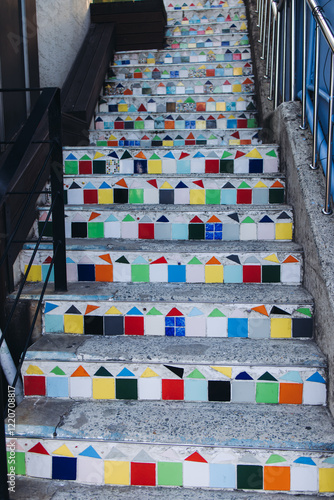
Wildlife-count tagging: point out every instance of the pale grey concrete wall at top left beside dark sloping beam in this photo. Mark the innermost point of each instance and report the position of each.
(62, 26)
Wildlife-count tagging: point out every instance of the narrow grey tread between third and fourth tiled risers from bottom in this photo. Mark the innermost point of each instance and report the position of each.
(171, 293)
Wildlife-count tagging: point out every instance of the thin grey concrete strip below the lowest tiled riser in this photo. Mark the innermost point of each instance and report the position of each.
(44, 489)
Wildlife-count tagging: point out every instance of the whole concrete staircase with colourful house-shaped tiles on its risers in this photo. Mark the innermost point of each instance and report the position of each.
(183, 353)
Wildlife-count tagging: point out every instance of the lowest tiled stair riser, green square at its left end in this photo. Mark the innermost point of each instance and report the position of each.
(220, 468)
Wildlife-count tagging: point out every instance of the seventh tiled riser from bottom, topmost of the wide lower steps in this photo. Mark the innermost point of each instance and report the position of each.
(238, 160)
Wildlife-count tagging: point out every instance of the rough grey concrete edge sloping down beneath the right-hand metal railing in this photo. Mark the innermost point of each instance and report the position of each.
(306, 193)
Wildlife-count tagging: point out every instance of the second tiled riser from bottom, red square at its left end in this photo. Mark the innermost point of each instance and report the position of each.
(157, 382)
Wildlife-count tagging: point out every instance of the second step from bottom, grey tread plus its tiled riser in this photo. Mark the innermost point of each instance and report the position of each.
(224, 370)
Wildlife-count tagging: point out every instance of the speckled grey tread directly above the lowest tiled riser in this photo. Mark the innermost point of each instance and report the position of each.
(276, 427)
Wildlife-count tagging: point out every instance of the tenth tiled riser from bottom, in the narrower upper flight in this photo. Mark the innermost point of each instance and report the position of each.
(170, 104)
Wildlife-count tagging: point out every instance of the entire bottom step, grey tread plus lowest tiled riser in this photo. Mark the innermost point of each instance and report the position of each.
(62, 439)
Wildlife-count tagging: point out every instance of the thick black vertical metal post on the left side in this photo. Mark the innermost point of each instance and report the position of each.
(57, 193)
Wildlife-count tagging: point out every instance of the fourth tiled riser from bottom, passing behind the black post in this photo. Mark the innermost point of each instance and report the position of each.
(171, 268)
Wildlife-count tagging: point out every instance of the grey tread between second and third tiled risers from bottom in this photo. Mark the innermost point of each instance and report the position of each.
(199, 351)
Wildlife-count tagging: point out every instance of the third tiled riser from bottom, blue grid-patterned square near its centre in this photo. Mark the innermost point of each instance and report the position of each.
(255, 321)
